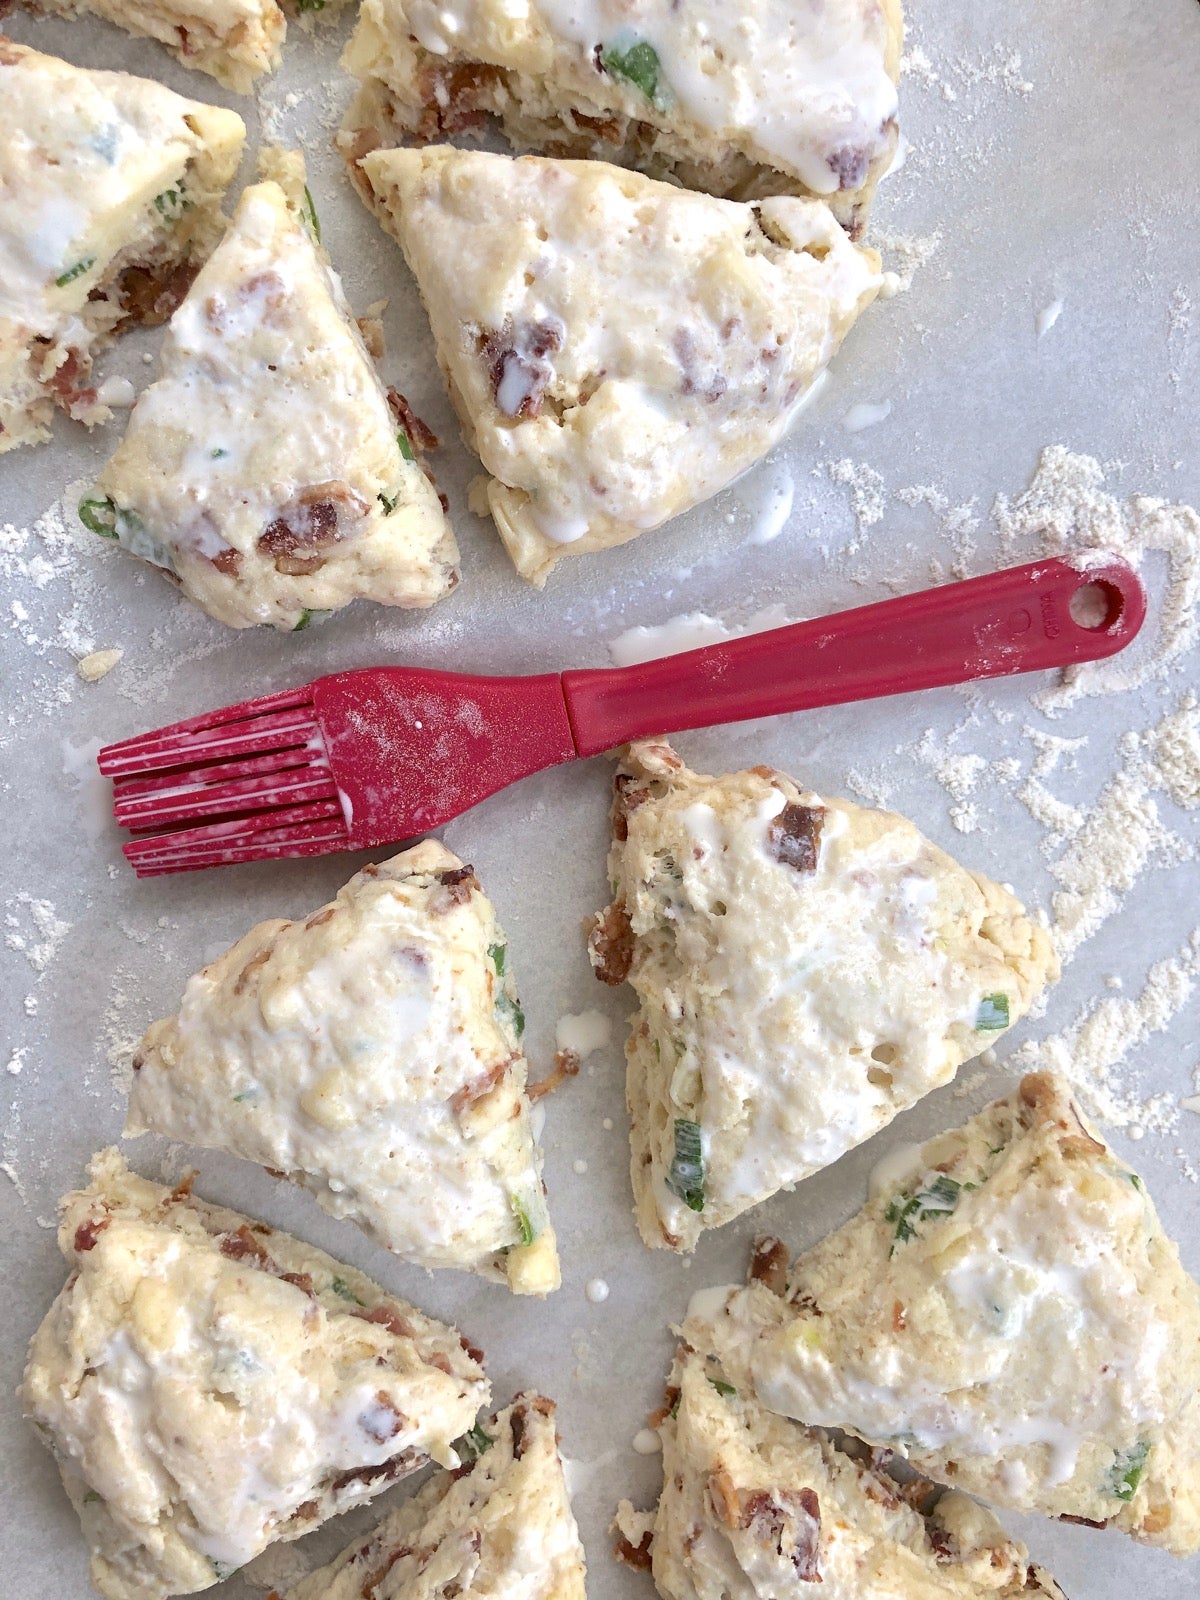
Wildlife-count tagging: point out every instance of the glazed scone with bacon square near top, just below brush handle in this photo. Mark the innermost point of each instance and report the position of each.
(806, 970)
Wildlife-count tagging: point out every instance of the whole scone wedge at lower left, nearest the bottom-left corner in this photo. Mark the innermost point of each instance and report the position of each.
(210, 1386)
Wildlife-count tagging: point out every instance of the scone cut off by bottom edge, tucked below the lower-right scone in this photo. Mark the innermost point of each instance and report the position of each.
(758, 1508)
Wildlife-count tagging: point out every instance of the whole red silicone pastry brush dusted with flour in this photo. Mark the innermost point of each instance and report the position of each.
(378, 756)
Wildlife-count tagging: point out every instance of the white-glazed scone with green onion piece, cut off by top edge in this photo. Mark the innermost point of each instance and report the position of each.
(769, 97)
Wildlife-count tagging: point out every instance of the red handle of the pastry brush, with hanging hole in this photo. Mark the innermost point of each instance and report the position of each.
(985, 628)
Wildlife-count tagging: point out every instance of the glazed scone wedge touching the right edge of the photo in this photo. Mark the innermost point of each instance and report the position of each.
(1009, 1314)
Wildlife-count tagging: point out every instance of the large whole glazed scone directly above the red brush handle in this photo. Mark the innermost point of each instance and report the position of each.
(618, 350)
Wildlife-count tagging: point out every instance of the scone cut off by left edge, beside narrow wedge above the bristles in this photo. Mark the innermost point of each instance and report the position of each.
(110, 201)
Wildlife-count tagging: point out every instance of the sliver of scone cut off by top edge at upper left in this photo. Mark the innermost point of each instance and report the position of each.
(231, 41)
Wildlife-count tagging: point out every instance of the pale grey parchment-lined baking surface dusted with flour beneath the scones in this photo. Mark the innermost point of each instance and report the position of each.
(1054, 164)
